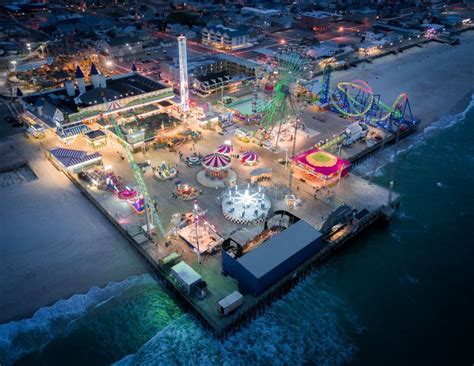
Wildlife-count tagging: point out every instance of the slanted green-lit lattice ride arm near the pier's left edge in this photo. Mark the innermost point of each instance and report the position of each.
(151, 213)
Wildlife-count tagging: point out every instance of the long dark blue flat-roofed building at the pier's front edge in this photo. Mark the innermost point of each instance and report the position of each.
(259, 269)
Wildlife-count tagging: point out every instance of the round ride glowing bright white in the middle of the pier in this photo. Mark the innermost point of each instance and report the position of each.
(247, 206)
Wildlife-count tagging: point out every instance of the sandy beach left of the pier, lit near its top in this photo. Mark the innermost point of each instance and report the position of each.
(53, 242)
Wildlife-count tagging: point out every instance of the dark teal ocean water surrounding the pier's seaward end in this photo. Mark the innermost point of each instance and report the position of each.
(400, 294)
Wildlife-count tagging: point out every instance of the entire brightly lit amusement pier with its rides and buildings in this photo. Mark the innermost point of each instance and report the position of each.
(232, 202)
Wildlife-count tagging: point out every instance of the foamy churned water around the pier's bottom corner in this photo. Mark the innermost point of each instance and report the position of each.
(306, 326)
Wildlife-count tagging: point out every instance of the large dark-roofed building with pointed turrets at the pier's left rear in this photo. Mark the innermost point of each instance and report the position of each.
(68, 110)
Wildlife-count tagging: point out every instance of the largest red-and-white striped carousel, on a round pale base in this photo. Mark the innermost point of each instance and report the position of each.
(217, 172)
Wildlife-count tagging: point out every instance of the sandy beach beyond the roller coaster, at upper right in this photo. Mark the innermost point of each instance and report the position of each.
(438, 78)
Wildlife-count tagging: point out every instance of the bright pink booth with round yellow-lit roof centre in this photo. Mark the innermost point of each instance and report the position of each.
(319, 168)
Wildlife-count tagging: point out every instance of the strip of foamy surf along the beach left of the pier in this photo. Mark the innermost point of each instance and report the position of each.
(18, 338)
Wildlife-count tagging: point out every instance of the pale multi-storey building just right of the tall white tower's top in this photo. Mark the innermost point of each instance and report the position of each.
(224, 38)
